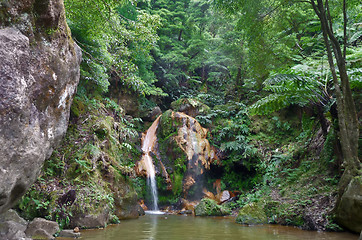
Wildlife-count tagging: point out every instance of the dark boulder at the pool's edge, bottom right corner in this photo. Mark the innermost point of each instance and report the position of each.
(349, 209)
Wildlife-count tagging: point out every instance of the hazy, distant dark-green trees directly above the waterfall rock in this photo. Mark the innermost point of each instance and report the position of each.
(193, 55)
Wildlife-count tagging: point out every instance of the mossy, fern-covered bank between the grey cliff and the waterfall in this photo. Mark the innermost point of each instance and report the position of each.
(95, 160)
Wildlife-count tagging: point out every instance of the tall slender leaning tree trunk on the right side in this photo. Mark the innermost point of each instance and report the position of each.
(347, 116)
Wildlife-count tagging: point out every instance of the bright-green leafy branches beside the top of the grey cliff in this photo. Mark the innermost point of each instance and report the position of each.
(114, 45)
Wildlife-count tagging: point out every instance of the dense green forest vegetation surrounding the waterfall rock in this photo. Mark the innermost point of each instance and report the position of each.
(281, 79)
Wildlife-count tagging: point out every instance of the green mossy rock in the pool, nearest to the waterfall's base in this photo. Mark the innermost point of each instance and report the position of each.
(209, 207)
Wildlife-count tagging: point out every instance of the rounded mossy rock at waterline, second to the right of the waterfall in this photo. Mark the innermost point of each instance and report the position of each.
(252, 214)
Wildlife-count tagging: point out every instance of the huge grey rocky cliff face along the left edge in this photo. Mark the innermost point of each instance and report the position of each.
(39, 72)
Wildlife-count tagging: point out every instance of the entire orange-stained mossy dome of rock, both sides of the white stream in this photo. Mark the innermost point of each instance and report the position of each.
(181, 154)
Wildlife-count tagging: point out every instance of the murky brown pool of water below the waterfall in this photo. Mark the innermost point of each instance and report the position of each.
(171, 227)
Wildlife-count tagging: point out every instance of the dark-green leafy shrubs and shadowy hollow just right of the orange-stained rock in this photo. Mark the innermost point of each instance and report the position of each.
(230, 132)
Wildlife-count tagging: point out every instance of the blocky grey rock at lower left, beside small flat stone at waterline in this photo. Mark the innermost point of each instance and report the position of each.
(41, 228)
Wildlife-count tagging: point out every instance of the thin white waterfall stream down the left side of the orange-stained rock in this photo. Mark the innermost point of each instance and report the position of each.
(147, 146)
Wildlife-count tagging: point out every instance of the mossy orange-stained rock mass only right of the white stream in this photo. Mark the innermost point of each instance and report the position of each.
(186, 152)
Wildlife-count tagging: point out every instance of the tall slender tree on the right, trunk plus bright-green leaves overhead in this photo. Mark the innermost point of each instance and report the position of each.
(258, 14)
